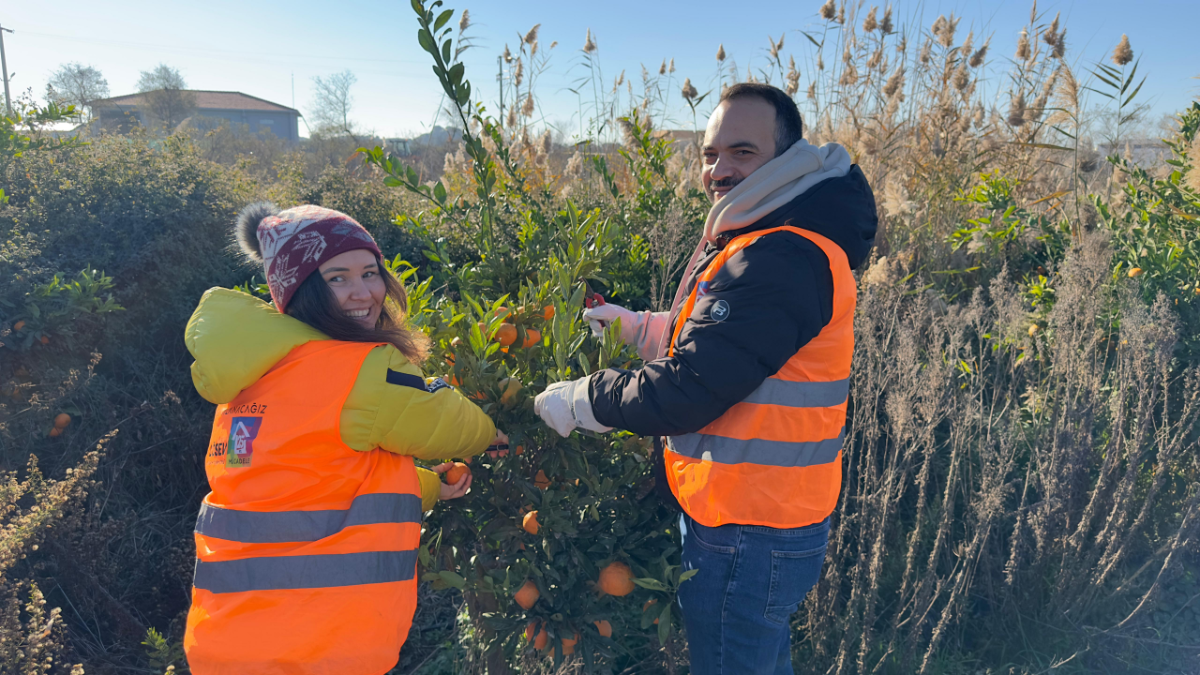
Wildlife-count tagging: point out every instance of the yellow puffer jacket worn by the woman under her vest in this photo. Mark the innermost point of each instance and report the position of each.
(237, 338)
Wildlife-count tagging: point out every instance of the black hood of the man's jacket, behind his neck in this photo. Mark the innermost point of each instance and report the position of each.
(841, 210)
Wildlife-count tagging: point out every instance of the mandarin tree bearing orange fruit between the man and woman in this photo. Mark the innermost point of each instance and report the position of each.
(531, 541)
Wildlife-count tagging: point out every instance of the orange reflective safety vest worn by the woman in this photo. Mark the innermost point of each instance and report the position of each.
(307, 548)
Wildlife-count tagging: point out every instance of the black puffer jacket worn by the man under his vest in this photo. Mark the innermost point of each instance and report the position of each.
(781, 296)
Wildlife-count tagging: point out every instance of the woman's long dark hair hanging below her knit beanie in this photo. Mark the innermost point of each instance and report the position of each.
(316, 304)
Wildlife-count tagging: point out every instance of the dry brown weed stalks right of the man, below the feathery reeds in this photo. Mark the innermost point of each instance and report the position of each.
(998, 476)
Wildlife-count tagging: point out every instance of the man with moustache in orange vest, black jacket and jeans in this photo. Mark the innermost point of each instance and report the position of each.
(747, 378)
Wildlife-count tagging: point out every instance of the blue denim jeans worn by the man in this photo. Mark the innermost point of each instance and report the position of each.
(751, 582)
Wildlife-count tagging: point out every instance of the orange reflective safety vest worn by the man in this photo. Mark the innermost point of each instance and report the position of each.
(773, 459)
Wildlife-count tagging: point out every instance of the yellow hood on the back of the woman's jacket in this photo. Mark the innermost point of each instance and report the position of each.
(236, 339)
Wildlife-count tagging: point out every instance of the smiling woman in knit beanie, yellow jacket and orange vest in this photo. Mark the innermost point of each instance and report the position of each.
(308, 543)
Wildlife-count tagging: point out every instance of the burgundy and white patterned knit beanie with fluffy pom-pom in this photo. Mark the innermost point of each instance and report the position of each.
(295, 243)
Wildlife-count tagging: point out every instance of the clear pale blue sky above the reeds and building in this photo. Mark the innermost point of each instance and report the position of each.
(259, 47)
